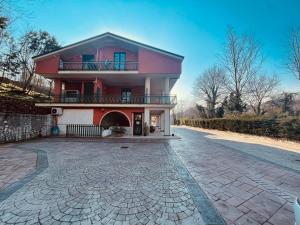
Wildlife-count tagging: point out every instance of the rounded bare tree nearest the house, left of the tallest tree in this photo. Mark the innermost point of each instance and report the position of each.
(209, 86)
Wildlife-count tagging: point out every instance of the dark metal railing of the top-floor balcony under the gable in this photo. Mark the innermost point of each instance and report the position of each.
(99, 66)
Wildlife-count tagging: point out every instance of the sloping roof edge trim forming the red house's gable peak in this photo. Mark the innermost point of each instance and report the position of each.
(103, 36)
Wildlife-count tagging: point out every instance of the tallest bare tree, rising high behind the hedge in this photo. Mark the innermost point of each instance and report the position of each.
(242, 59)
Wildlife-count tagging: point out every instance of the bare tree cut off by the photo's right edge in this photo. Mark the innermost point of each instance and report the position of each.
(294, 58)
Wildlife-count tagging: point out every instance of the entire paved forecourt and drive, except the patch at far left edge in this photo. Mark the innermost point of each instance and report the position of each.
(153, 182)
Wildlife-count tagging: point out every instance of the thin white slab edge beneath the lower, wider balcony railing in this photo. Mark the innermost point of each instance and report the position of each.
(104, 105)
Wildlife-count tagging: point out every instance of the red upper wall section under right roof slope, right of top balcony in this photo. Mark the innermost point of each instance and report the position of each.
(153, 62)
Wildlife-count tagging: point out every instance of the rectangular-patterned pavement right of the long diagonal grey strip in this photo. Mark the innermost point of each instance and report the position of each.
(238, 177)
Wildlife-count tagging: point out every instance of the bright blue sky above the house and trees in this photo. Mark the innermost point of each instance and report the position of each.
(194, 29)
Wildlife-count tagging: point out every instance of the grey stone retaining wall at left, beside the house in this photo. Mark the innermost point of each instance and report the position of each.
(17, 127)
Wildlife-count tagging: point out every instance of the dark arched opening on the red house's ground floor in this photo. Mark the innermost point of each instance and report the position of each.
(114, 118)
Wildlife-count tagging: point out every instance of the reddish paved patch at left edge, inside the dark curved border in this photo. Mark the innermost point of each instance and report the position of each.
(14, 164)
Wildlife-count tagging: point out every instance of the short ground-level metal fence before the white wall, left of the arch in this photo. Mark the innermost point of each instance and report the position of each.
(83, 130)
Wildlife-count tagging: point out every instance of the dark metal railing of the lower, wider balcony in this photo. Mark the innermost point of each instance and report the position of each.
(110, 99)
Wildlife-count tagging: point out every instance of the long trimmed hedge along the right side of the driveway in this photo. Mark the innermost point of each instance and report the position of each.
(288, 128)
